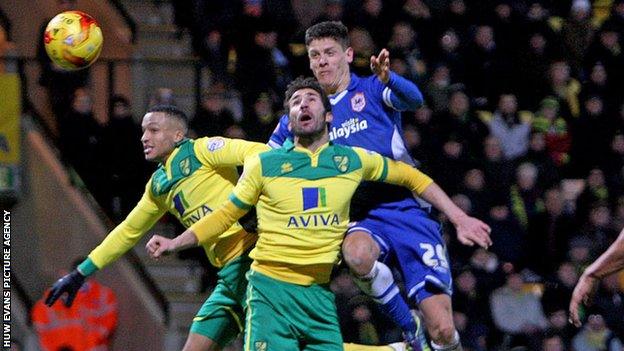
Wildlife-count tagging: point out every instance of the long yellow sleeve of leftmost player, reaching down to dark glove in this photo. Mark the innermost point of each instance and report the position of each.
(128, 232)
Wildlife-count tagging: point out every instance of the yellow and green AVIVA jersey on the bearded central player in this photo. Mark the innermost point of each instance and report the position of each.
(302, 201)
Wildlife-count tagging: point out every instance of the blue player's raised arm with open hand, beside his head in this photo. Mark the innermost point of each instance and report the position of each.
(400, 94)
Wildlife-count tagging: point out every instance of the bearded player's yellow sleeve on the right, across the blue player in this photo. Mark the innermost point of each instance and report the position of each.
(379, 168)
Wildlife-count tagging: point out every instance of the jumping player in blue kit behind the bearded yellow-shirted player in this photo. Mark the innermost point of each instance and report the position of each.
(392, 226)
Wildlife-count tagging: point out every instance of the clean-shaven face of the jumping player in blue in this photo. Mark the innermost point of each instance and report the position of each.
(329, 63)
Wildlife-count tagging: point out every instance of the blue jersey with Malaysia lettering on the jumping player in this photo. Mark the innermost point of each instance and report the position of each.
(367, 114)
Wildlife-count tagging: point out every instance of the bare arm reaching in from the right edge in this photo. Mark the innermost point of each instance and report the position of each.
(609, 262)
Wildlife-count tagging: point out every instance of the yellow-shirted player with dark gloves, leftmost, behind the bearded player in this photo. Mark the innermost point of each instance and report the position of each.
(194, 177)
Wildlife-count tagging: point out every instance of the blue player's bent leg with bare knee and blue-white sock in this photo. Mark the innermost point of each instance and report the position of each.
(361, 253)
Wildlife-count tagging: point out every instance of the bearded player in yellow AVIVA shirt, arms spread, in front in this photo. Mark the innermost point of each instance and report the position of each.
(302, 193)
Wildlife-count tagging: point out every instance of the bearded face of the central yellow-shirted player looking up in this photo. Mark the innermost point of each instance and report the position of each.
(307, 115)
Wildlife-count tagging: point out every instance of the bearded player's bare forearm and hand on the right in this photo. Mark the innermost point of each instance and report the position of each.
(470, 230)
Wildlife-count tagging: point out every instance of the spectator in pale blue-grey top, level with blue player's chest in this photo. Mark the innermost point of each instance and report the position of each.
(512, 130)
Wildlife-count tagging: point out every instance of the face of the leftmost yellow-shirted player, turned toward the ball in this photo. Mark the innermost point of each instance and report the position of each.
(160, 135)
